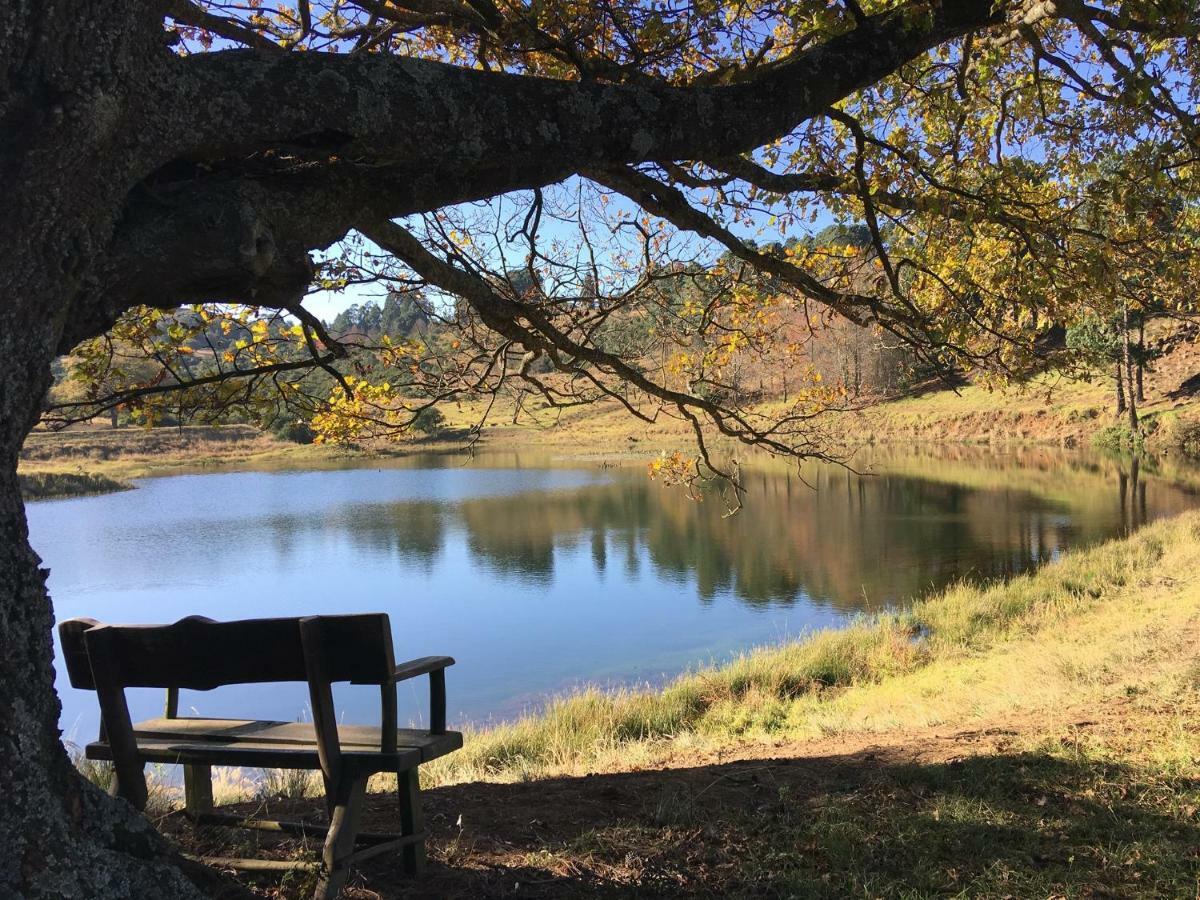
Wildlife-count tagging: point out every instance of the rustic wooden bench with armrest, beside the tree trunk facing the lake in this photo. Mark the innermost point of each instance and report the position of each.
(201, 655)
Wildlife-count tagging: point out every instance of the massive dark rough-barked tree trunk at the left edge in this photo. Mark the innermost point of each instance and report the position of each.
(65, 170)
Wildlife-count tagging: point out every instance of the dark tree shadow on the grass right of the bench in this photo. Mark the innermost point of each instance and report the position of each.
(863, 825)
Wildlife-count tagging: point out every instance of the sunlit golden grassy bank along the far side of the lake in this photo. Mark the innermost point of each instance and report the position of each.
(1047, 413)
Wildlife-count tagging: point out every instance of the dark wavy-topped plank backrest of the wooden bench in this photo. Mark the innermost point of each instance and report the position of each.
(201, 655)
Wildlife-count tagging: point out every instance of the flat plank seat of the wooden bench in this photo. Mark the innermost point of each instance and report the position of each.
(352, 737)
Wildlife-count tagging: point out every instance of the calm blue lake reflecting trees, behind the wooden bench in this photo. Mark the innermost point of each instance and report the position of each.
(542, 578)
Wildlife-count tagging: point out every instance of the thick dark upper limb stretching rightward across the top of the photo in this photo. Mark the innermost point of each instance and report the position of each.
(404, 110)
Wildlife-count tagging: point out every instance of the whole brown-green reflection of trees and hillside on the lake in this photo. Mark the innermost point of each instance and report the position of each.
(855, 542)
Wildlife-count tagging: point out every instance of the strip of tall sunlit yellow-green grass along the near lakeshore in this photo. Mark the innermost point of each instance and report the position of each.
(826, 682)
